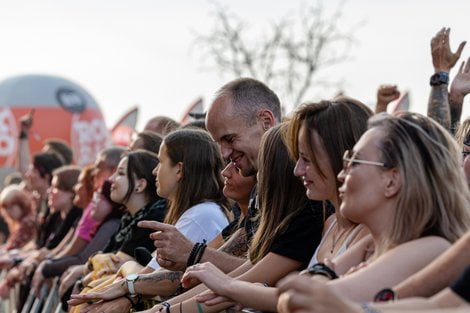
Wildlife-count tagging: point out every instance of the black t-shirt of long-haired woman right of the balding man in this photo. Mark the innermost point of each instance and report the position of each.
(303, 234)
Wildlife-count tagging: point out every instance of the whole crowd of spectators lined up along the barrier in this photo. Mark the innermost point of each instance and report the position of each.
(333, 208)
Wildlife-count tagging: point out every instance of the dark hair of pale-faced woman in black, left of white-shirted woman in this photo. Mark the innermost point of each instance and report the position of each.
(140, 164)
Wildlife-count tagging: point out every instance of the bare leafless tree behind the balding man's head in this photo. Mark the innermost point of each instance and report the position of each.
(287, 57)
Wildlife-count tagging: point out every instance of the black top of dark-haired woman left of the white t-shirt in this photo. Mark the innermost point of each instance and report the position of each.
(130, 236)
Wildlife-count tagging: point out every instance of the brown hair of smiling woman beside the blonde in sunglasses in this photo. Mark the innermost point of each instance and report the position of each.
(339, 123)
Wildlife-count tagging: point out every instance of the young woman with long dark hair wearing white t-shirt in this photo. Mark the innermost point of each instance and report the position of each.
(188, 176)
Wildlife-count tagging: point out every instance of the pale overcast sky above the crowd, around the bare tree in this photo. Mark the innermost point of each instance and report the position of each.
(139, 52)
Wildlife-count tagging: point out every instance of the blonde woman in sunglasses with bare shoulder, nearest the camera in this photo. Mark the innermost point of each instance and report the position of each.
(414, 162)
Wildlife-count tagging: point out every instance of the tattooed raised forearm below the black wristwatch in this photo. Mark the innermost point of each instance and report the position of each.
(438, 106)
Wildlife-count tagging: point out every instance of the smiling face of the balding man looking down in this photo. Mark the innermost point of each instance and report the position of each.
(238, 142)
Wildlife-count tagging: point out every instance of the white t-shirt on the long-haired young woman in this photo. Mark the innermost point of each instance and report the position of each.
(203, 221)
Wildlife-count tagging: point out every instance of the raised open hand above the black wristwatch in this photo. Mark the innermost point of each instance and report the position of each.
(443, 58)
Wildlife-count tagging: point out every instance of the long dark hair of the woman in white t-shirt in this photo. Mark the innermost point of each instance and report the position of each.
(202, 164)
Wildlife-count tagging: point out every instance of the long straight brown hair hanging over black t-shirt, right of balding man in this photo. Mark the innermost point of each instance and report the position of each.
(281, 195)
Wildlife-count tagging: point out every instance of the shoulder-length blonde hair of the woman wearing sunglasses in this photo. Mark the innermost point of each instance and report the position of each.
(434, 198)
